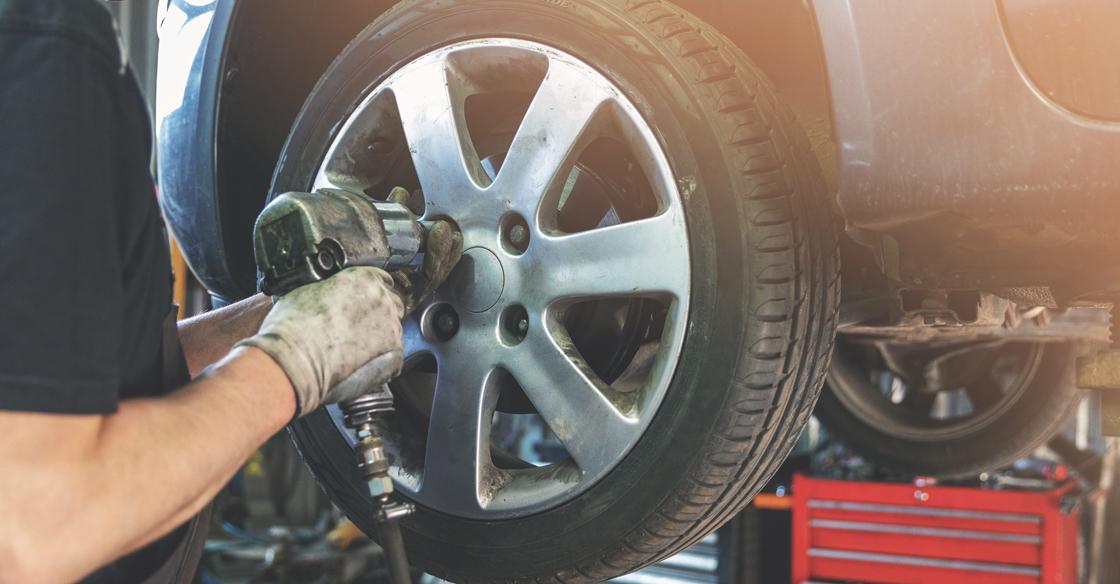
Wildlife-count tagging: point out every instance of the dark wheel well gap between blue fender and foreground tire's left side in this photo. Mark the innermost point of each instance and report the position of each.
(267, 75)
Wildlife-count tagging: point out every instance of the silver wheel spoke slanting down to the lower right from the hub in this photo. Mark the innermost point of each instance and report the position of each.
(573, 401)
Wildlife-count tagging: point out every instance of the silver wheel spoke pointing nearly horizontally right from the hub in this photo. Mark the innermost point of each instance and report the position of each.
(640, 258)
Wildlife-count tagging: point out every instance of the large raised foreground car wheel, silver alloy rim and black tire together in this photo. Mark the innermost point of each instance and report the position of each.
(650, 271)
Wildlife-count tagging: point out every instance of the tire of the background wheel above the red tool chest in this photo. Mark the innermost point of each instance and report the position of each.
(1048, 401)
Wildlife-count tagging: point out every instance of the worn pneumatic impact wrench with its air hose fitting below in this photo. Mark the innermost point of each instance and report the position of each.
(304, 238)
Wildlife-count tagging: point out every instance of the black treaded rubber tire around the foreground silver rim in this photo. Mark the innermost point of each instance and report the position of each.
(764, 288)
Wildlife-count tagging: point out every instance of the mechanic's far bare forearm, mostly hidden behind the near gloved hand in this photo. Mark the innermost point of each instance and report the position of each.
(208, 338)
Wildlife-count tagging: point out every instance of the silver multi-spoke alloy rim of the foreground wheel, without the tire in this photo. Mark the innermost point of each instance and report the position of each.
(647, 258)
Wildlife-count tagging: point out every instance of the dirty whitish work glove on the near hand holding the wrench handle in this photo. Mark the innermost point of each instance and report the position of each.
(344, 329)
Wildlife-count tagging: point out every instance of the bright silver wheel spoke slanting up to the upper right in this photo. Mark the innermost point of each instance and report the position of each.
(552, 137)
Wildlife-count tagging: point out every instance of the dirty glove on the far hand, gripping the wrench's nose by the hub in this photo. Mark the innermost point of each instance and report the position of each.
(445, 247)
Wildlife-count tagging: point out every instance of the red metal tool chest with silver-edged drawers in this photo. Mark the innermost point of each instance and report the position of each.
(900, 534)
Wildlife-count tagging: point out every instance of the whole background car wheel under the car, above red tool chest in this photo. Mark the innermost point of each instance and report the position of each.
(950, 411)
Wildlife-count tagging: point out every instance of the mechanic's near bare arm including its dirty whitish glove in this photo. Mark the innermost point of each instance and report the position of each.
(100, 487)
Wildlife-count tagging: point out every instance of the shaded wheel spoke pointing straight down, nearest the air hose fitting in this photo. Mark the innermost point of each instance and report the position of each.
(458, 458)
